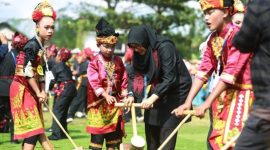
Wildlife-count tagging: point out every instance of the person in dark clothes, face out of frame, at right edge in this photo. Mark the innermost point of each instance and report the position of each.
(254, 37)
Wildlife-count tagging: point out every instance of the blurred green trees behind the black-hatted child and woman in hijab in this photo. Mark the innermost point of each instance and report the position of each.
(172, 18)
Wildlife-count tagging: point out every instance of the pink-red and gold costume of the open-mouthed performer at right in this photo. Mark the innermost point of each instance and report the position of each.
(230, 109)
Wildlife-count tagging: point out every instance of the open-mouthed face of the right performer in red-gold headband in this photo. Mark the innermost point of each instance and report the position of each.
(215, 18)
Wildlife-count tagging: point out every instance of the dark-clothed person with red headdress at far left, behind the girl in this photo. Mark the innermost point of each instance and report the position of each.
(7, 71)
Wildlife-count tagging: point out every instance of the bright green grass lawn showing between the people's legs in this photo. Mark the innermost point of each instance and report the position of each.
(192, 136)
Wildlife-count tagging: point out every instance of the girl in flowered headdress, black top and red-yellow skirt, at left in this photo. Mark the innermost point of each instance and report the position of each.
(27, 89)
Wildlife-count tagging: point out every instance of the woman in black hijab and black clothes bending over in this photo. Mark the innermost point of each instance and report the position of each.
(157, 63)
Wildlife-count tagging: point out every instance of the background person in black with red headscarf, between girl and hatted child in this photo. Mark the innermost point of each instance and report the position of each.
(65, 91)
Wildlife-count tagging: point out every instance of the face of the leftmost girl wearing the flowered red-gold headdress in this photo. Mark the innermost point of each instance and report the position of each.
(45, 28)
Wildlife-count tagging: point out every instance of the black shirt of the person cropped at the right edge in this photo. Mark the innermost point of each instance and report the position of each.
(256, 29)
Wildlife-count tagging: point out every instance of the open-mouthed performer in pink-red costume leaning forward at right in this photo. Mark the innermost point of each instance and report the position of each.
(232, 96)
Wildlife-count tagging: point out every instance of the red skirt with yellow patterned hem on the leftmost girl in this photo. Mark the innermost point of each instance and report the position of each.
(25, 109)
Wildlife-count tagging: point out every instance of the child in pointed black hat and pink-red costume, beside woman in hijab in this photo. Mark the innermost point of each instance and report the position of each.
(107, 84)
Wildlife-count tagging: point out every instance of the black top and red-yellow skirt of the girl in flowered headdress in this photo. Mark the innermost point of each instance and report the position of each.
(25, 106)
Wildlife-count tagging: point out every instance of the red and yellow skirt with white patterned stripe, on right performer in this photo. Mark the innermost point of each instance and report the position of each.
(229, 113)
